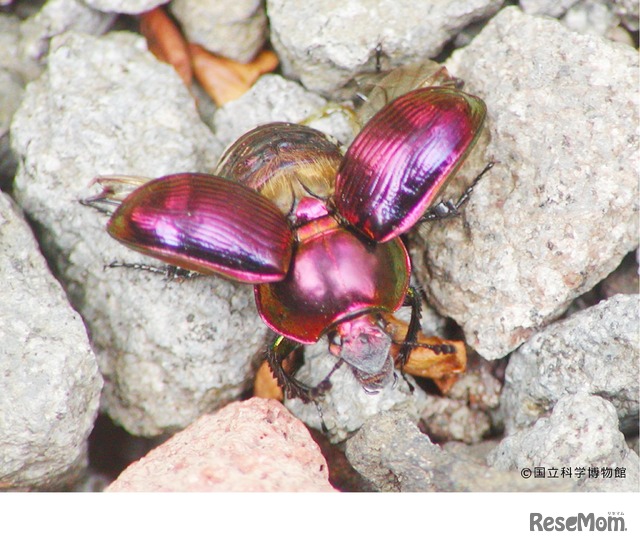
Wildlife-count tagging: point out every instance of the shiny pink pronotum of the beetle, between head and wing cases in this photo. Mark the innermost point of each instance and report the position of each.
(335, 274)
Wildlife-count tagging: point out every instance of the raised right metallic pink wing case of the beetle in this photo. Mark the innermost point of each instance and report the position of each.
(395, 168)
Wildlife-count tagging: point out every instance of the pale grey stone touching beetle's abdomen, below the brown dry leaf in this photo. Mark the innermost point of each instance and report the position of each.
(274, 98)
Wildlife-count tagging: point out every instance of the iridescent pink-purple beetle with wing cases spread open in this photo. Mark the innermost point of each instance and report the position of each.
(317, 233)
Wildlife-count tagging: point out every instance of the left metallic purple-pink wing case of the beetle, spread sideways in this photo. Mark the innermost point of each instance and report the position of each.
(206, 224)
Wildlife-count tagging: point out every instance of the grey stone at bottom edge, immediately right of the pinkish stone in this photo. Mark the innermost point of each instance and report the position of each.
(391, 453)
